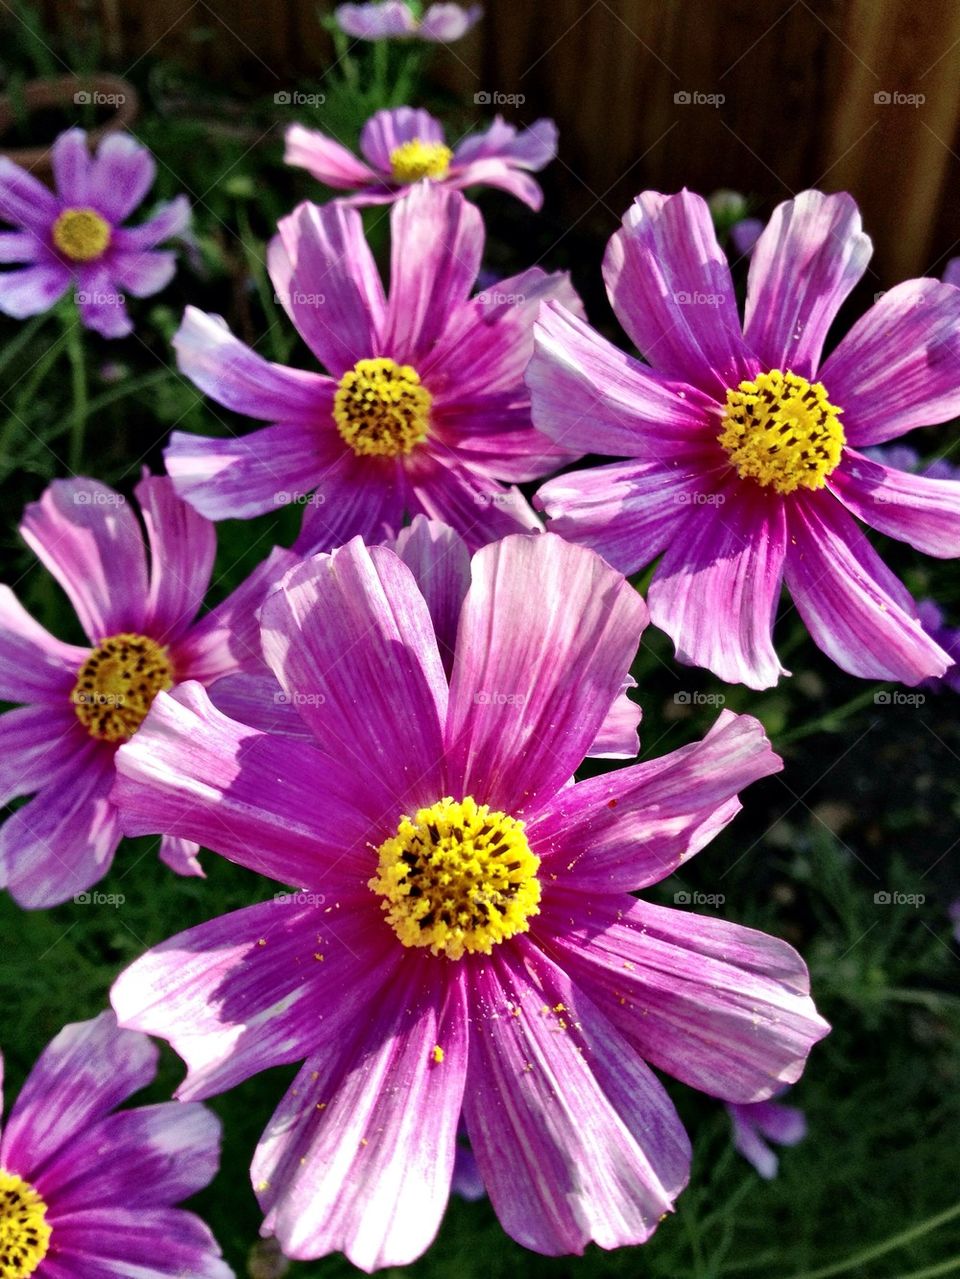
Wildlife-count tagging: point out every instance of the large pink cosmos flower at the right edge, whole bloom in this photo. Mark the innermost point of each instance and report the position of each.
(745, 452)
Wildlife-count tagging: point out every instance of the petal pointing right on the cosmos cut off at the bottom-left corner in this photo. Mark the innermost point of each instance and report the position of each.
(149, 1157)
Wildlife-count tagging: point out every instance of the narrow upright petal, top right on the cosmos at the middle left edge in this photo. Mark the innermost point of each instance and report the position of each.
(182, 552)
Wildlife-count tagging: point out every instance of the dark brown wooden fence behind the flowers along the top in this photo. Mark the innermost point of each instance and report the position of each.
(765, 97)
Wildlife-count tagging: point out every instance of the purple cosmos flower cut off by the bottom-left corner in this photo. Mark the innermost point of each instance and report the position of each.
(89, 1191)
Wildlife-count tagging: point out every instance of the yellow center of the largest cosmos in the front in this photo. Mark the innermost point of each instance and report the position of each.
(458, 878)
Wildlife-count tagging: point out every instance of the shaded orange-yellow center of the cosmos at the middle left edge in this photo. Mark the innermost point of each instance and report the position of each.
(117, 685)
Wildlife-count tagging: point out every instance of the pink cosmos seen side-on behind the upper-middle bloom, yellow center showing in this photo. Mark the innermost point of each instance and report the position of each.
(406, 145)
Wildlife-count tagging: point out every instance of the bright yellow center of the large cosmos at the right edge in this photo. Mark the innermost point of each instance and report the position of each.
(783, 432)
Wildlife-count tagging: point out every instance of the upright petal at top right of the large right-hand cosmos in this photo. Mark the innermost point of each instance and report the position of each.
(806, 263)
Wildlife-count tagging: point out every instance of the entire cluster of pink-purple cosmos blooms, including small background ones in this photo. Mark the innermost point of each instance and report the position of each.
(475, 992)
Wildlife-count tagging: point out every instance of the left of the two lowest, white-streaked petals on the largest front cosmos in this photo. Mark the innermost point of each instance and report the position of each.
(360, 1156)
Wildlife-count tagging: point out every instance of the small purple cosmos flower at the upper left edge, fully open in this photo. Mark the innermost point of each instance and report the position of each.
(75, 237)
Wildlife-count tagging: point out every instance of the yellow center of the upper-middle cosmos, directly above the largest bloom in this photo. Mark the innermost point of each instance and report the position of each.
(382, 410)
